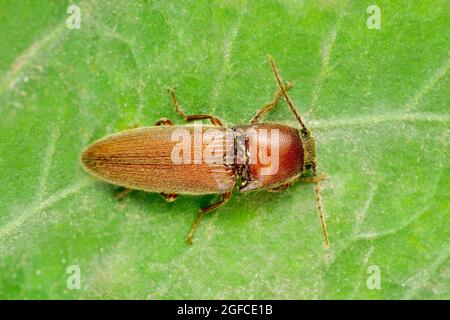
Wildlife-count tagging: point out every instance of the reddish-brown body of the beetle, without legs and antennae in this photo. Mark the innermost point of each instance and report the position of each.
(143, 158)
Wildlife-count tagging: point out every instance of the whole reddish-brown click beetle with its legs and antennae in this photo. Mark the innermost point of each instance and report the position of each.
(148, 158)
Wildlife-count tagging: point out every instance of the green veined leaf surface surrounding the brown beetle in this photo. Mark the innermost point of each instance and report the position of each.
(376, 101)
